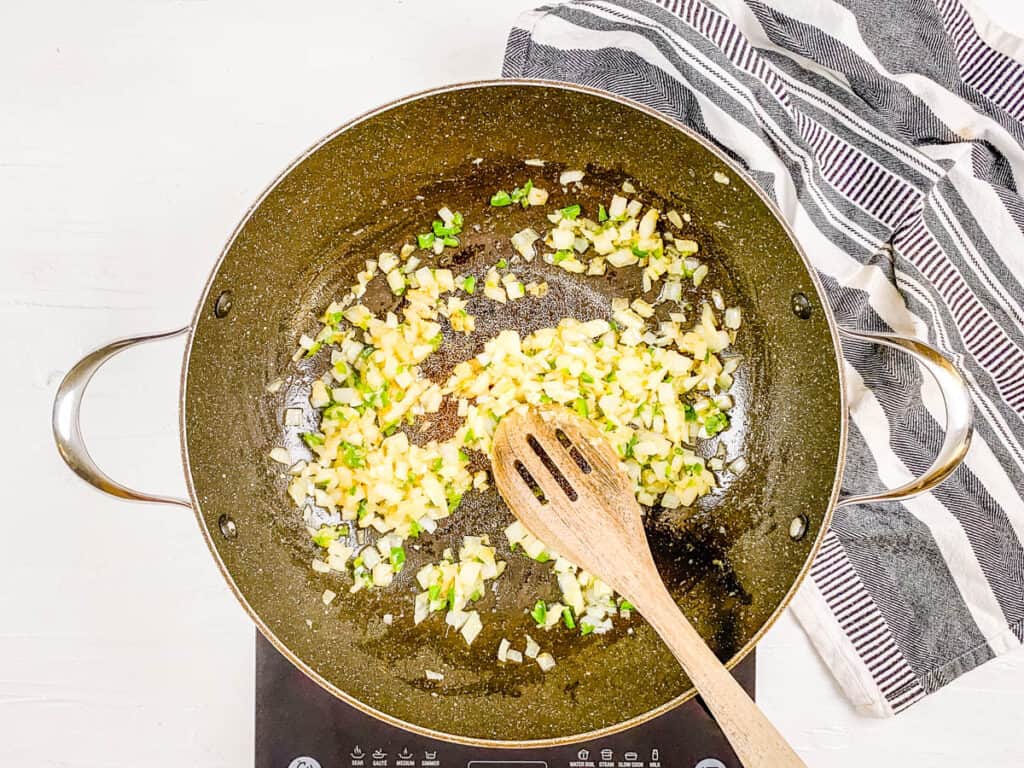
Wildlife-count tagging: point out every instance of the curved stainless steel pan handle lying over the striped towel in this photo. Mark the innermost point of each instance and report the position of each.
(960, 416)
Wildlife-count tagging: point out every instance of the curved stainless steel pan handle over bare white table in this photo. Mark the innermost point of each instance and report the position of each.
(67, 413)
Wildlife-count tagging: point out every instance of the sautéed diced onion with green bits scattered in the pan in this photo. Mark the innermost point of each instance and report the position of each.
(654, 387)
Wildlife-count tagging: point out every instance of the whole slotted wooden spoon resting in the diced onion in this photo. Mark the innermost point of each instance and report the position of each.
(564, 482)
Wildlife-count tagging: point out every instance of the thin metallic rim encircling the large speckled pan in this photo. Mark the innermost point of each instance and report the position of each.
(476, 741)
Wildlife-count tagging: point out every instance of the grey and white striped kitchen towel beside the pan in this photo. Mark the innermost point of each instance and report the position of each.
(891, 135)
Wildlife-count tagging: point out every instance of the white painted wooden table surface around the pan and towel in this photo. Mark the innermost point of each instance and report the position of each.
(133, 138)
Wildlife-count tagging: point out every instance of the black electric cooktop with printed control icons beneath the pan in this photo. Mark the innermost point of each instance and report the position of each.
(301, 726)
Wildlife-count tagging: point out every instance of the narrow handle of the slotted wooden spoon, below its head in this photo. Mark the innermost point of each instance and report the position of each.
(752, 736)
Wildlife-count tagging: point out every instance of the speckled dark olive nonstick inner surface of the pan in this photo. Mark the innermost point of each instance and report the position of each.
(731, 563)
